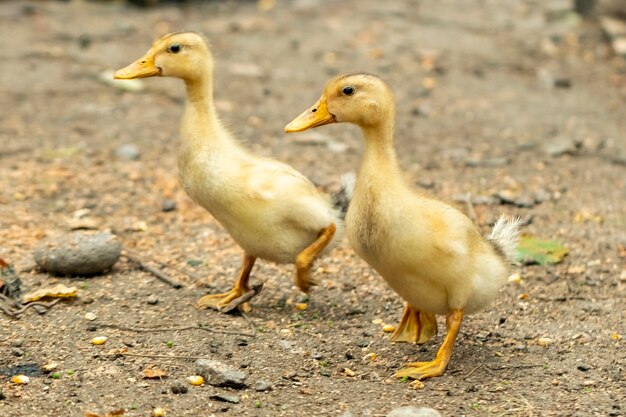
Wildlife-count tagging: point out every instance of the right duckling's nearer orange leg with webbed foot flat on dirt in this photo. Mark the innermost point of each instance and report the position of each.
(423, 370)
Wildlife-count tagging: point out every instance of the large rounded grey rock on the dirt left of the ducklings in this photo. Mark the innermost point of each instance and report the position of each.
(80, 253)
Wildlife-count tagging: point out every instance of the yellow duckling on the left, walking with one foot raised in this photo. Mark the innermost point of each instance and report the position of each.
(271, 210)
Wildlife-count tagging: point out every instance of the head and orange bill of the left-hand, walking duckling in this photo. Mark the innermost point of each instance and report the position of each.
(184, 55)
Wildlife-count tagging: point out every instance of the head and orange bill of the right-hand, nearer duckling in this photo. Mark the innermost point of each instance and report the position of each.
(360, 98)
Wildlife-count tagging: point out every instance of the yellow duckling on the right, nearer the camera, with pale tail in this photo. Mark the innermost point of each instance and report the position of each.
(427, 251)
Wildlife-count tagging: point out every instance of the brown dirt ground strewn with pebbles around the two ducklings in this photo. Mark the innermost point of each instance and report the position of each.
(486, 90)
